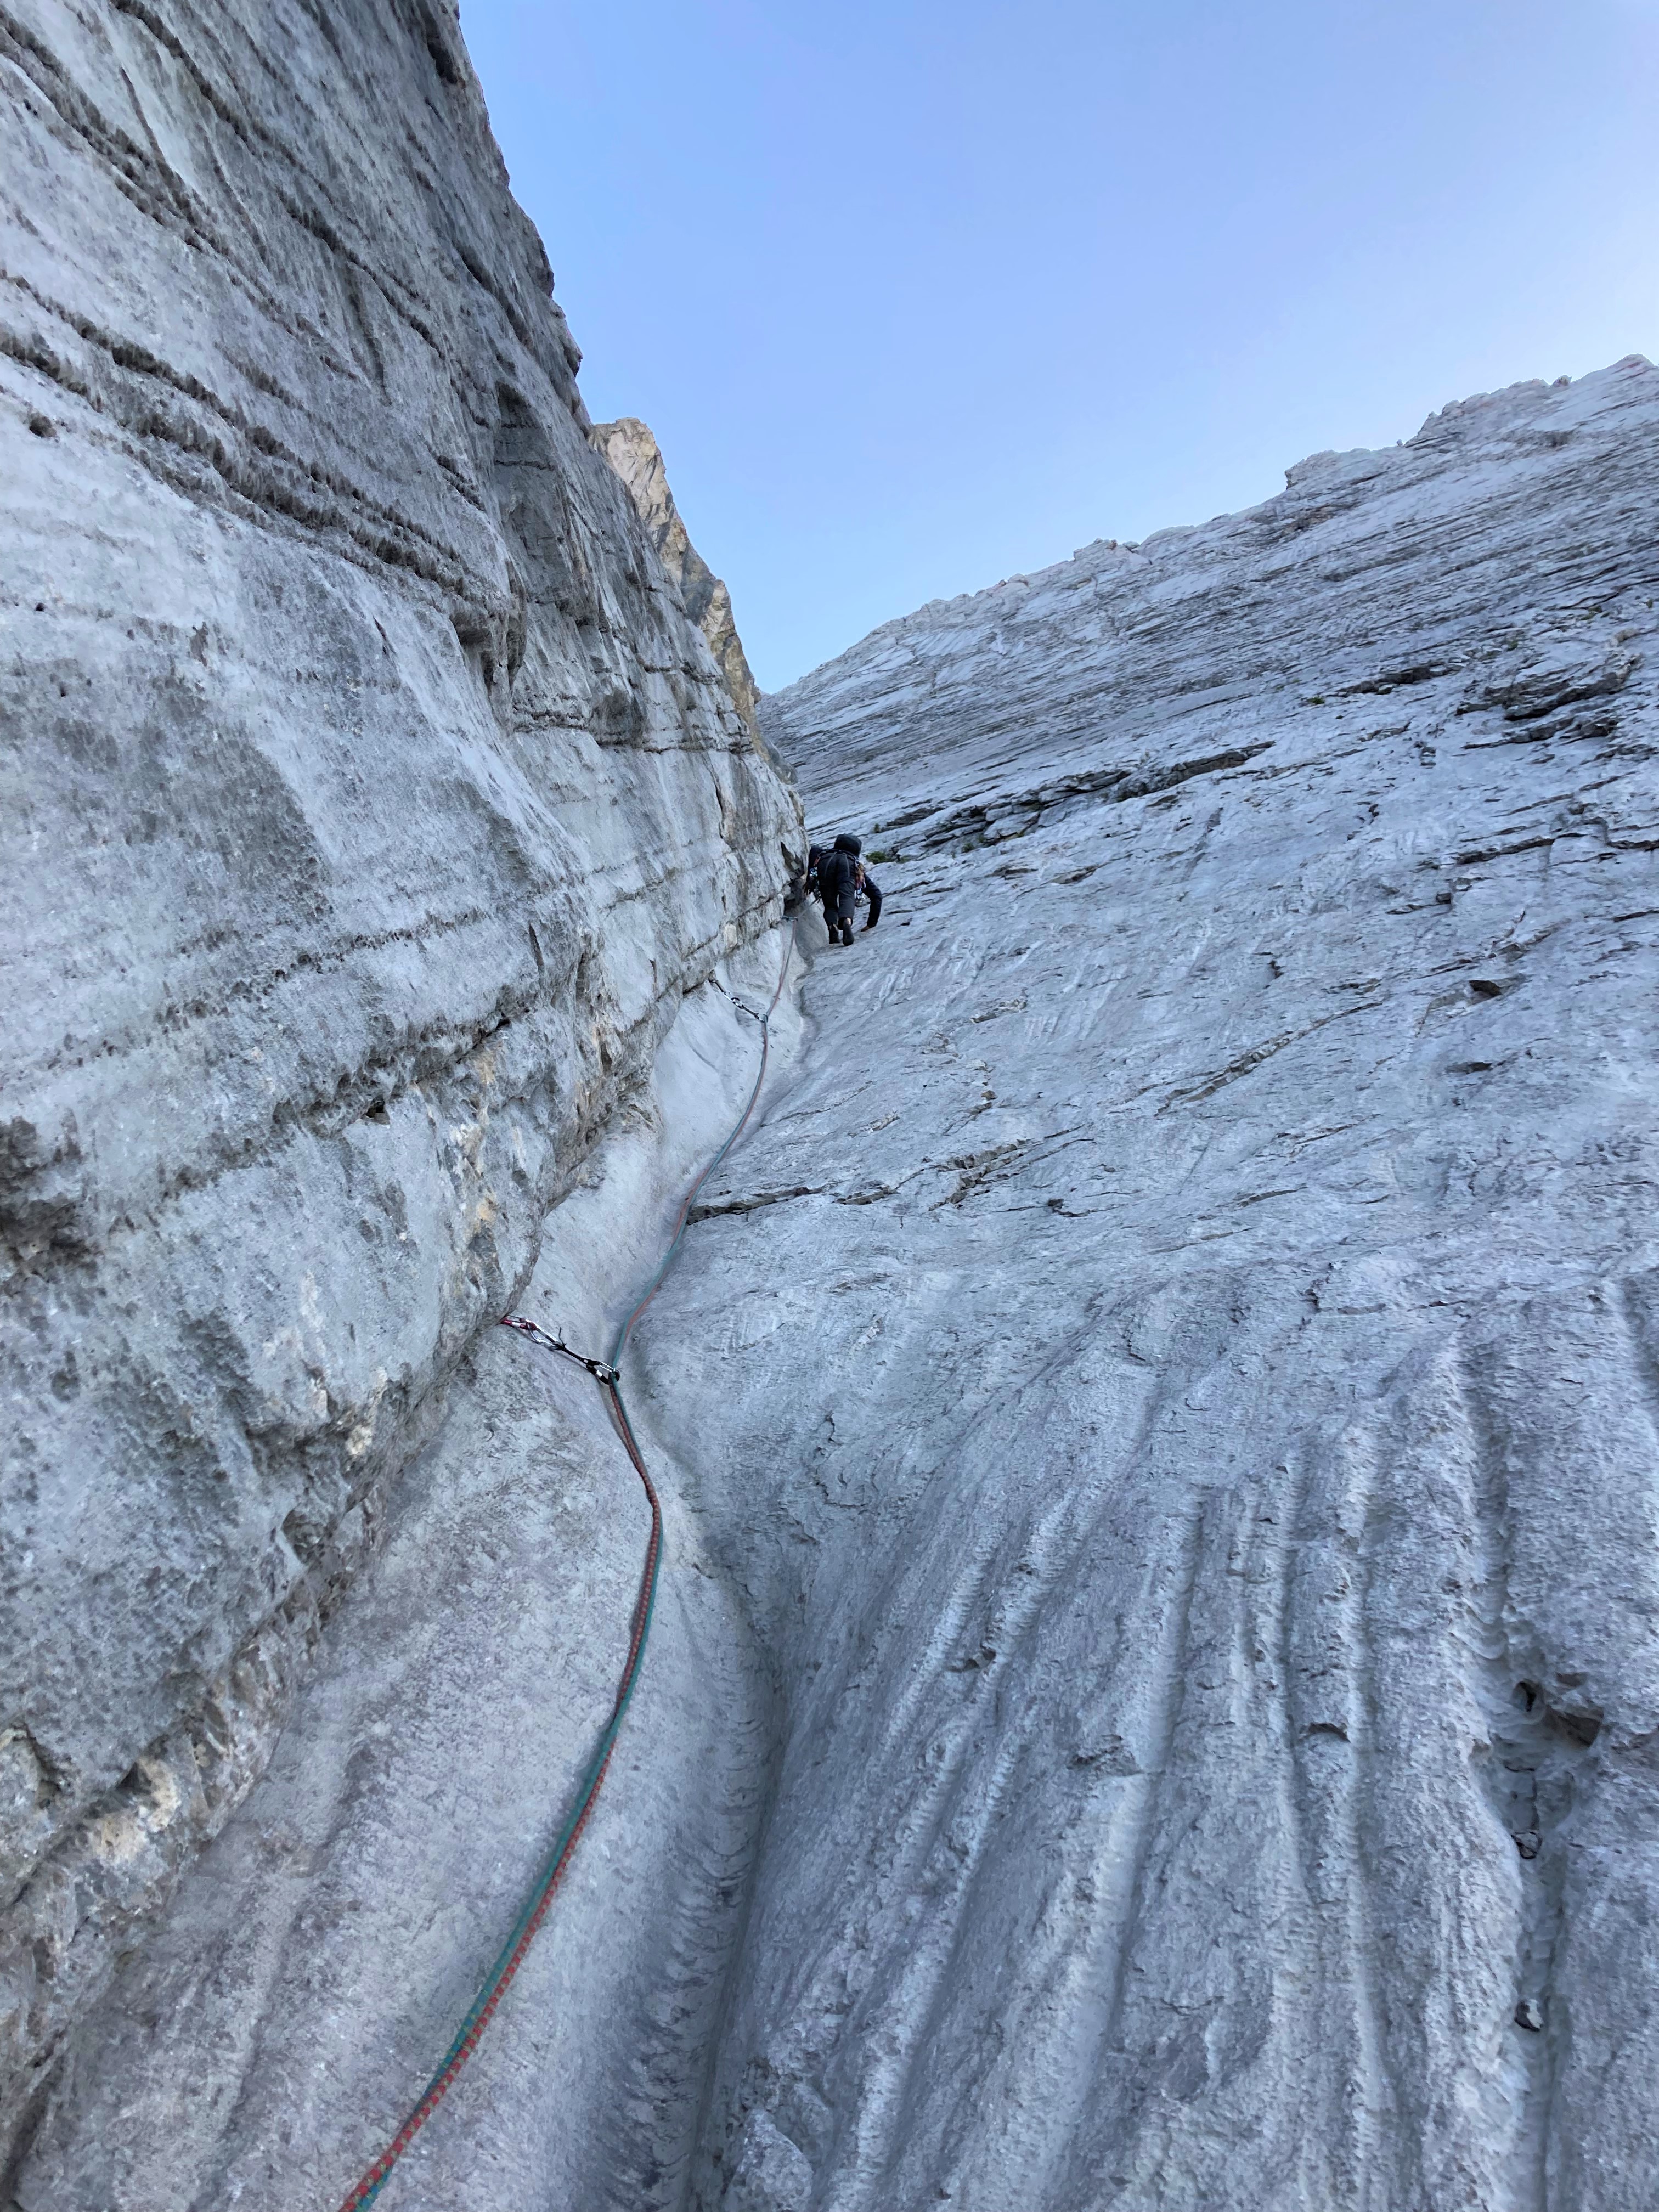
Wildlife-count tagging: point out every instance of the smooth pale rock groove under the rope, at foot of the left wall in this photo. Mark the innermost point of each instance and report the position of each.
(324, 1950)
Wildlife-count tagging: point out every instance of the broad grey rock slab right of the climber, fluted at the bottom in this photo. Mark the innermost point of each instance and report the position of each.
(1211, 1561)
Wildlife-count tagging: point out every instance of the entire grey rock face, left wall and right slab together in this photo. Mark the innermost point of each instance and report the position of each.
(1156, 1684)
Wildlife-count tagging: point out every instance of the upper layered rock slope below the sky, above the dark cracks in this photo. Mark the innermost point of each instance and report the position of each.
(1492, 565)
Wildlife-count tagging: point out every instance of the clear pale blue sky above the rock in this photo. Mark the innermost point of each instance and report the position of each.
(928, 293)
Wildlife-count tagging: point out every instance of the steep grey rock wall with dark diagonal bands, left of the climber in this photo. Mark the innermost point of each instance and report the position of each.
(371, 811)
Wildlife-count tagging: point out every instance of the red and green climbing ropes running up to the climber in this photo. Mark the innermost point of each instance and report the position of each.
(609, 1377)
